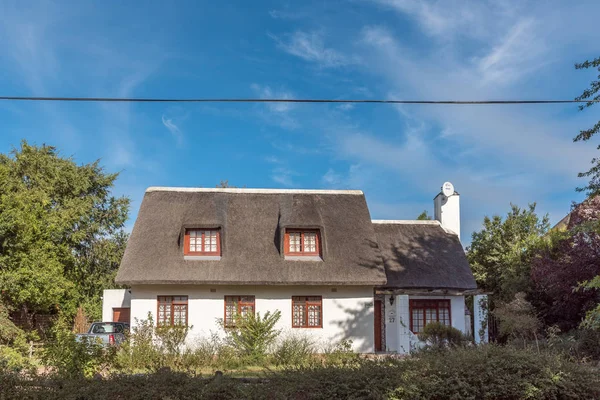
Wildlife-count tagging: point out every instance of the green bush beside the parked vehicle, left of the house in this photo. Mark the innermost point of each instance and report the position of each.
(72, 358)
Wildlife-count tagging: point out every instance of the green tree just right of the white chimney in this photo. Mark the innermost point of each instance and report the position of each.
(500, 253)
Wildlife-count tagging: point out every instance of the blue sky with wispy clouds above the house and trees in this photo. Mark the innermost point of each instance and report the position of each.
(399, 156)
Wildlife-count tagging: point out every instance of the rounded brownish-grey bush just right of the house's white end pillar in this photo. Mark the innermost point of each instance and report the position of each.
(518, 318)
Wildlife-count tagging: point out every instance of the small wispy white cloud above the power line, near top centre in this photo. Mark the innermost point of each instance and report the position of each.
(310, 47)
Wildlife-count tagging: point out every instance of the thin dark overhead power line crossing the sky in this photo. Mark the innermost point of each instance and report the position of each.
(251, 100)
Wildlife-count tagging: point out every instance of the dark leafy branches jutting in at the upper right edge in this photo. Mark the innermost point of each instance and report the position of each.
(592, 93)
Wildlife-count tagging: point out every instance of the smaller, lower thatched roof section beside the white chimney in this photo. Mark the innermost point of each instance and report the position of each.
(421, 254)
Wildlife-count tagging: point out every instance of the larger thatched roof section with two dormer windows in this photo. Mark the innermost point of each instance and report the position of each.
(252, 223)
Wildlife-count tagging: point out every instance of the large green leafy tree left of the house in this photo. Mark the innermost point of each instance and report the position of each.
(61, 230)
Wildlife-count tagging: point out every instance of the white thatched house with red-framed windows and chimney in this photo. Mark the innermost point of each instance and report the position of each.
(197, 256)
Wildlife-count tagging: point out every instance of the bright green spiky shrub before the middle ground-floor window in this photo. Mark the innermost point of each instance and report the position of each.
(253, 334)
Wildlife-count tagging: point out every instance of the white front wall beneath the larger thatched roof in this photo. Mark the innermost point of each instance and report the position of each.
(347, 313)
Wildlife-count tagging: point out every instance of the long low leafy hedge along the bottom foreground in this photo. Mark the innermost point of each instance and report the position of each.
(488, 372)
